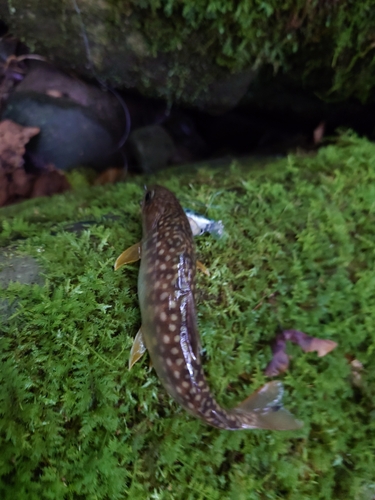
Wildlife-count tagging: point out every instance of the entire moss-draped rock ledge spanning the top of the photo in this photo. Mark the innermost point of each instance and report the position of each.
(176, 49)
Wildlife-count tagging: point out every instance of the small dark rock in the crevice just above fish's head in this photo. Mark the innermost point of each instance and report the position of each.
(151, 148)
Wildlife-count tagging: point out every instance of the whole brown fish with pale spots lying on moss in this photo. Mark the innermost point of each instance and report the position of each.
(169, 332)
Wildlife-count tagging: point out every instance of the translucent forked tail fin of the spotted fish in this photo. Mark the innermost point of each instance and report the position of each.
(266, 406)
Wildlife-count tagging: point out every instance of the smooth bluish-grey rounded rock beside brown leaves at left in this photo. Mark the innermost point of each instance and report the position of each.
(70, 134)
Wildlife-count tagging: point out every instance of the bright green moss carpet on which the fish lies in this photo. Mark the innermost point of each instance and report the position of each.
(299, 253)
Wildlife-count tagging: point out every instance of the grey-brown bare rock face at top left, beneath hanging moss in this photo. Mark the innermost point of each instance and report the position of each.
(135, 46)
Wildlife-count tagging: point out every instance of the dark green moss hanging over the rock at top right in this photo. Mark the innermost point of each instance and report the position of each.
(324, 47)
